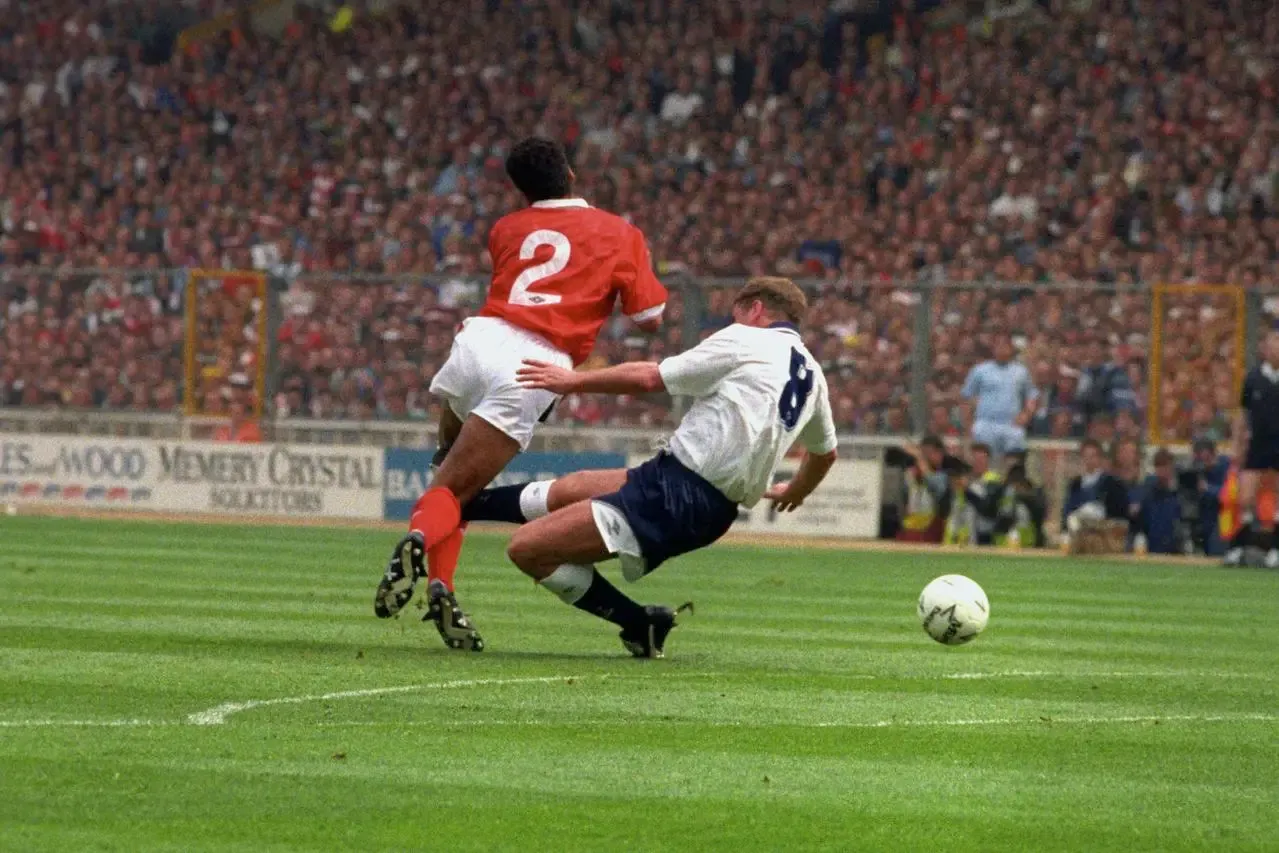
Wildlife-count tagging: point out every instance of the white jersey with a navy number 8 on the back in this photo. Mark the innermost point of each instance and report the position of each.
(758, 392)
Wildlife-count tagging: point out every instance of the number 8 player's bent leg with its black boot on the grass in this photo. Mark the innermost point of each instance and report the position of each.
(561, 551)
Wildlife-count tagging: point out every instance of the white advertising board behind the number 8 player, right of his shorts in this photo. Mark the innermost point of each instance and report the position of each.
(847, 505)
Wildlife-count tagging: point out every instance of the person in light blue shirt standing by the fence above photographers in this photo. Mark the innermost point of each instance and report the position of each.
(1003, 398)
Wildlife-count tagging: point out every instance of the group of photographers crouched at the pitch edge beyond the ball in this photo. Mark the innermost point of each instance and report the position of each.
(969, 497)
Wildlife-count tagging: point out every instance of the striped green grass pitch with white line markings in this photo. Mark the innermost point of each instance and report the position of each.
(228, 689)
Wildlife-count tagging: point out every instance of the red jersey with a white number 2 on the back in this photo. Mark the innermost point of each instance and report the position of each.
(560, 267)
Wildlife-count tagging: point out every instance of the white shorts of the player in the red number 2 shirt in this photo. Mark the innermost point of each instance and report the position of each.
(479, 377)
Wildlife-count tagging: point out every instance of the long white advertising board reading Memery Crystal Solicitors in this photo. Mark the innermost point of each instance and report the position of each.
(192, 476)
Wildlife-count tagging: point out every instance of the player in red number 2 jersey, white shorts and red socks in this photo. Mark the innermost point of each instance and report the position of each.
(558, 269)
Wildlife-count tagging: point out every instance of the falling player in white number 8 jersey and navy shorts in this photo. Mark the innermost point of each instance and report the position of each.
(758, 393)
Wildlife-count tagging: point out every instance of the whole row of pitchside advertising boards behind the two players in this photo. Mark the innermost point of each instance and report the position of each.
(294, 481)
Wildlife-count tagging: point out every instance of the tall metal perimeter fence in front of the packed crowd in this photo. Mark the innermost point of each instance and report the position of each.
(363, 348)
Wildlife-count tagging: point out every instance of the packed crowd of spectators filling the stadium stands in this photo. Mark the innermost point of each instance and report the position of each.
(359, 162)
